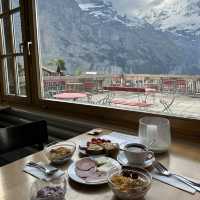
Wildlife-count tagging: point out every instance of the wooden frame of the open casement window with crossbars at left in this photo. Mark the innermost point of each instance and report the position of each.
(15, 98)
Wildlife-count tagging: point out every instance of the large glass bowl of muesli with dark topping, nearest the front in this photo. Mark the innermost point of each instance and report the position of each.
(129, 184)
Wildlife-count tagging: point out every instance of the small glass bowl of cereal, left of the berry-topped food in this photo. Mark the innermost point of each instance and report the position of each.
(60, 152)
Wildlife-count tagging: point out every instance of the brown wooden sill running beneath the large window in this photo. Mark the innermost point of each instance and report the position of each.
(109, 118)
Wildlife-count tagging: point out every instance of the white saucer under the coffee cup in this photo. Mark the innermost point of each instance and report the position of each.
(121, 158)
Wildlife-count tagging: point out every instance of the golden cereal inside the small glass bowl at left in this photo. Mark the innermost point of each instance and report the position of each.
(59, 153)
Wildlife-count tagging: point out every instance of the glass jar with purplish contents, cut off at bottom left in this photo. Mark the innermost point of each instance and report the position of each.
(49, 190)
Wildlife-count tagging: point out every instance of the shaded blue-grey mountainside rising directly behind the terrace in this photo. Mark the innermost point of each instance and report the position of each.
(90, 35)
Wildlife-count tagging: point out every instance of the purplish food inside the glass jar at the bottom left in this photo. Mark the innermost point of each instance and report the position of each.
(50, 192)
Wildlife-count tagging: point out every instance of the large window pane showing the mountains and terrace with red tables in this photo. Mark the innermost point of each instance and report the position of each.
(130, 54)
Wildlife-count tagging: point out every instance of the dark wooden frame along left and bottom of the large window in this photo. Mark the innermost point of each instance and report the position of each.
(183, 127)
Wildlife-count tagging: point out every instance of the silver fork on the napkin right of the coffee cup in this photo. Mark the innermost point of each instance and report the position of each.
(164, 171)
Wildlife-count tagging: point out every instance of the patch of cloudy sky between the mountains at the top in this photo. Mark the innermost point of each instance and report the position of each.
(130, 6)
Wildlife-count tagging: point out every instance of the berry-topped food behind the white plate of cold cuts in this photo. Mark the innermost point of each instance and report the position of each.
(98, 146)
